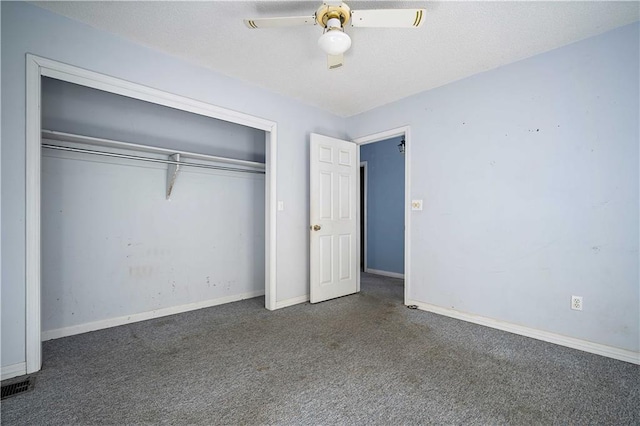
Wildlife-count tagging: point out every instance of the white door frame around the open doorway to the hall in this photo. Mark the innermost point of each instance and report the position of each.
(377, 137)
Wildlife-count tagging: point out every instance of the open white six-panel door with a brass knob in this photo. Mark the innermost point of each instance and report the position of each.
(334, 241)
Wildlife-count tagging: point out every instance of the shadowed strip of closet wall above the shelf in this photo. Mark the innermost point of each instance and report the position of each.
(71, 108)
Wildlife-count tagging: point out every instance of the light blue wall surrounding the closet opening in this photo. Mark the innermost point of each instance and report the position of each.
(29, 29)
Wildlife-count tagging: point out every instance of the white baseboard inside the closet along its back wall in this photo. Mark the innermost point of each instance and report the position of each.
(113, 322)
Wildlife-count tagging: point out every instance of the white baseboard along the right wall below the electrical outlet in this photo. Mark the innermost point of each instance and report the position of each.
(558, 339)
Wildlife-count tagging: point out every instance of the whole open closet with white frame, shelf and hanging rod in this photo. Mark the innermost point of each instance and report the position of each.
(140, 204)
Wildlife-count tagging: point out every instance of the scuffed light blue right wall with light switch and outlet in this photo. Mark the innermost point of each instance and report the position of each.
(529, 176)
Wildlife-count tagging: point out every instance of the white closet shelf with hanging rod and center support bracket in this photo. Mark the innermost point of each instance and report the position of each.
(174, 161)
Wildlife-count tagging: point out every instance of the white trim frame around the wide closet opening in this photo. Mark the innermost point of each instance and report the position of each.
(37, 67)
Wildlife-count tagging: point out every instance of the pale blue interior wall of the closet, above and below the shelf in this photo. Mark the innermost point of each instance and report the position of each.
(113, 247)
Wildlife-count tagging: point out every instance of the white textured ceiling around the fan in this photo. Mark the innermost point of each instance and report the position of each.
(458, 39)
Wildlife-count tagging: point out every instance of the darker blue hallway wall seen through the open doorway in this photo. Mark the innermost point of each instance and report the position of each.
(385, 205)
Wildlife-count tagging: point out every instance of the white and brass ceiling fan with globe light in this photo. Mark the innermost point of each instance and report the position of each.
(333, 16)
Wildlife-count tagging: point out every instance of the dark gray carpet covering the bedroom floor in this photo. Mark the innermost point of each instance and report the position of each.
(359, 359)
